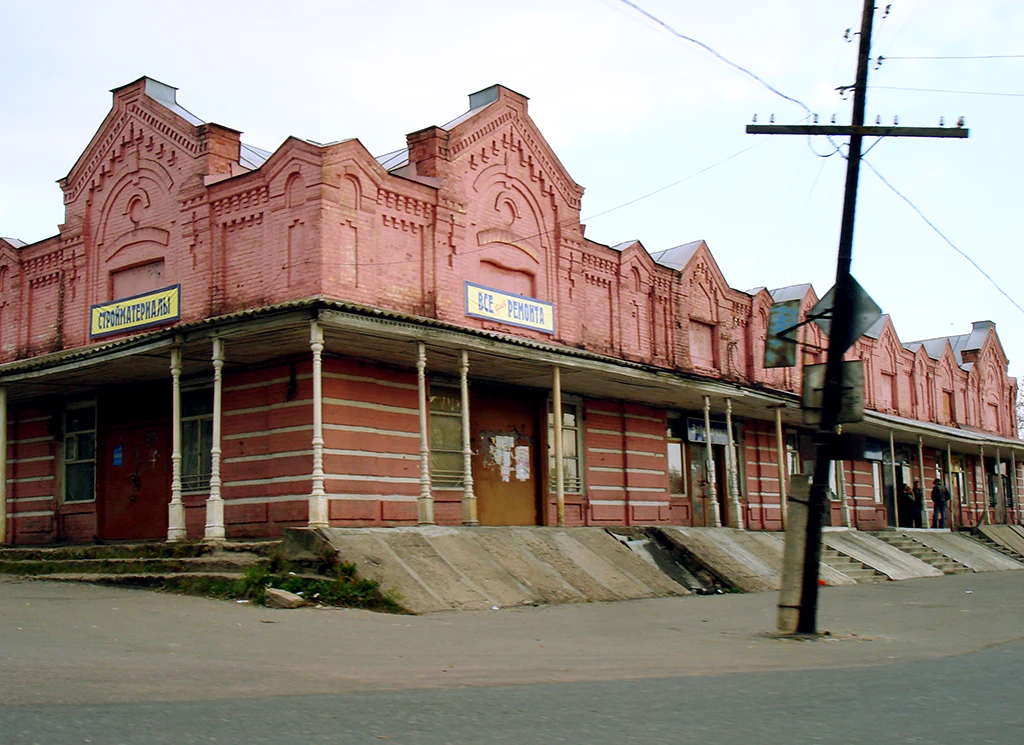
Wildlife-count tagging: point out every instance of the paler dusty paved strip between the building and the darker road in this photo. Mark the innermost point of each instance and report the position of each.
(83, 644)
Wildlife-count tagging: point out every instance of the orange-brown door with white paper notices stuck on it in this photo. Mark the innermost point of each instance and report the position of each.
(505, 455)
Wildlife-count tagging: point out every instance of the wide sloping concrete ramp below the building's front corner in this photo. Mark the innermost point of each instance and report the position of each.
(438, 568)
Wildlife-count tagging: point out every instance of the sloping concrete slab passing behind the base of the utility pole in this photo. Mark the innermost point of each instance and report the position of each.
(751, 561)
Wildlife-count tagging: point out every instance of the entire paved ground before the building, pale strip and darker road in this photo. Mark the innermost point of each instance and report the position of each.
(923, 662)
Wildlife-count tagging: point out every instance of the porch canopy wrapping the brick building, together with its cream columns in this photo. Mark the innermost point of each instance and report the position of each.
(318, 326)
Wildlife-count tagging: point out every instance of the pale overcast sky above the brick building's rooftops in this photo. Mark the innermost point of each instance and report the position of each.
(651, 125)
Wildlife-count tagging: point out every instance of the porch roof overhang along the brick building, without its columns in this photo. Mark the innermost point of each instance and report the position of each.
(259, 336)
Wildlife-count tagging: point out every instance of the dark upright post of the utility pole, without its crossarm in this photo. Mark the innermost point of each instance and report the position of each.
(841, 326)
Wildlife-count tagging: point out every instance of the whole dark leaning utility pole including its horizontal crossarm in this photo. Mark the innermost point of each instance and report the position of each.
(828, 436)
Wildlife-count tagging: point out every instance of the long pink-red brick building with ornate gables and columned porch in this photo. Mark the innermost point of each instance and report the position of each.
(227, 342)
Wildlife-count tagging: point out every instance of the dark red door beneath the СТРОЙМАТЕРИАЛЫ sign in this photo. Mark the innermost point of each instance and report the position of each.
(136, 483)
